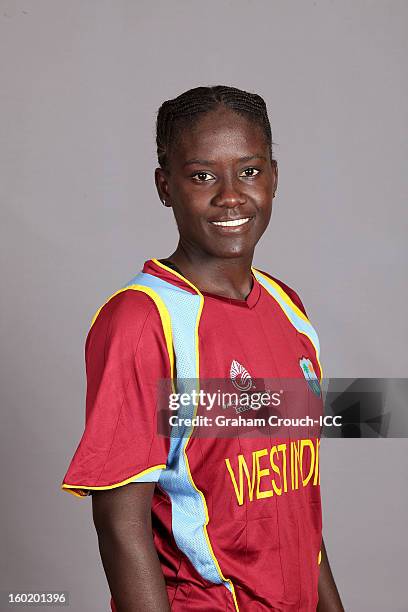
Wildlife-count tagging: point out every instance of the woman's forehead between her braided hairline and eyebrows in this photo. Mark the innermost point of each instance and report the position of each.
(219, 134)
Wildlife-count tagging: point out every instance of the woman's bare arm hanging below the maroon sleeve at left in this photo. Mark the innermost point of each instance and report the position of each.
(122, 518)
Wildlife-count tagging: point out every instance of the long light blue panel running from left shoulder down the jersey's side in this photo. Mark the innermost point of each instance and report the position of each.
(188, 512)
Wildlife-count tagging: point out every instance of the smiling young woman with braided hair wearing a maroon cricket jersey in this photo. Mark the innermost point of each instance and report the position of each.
(210, 523)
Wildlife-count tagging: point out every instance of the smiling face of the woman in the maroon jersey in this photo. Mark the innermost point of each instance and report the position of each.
(220, 183)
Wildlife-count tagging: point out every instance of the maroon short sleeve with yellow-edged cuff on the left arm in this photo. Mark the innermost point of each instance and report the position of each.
(126, 355)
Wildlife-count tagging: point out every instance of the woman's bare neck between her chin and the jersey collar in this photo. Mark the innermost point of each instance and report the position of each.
(229, 277)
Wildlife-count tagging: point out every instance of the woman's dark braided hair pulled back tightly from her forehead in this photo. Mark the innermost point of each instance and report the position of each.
(183, 111)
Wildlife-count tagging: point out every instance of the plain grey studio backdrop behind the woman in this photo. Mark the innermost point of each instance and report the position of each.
(80, 85)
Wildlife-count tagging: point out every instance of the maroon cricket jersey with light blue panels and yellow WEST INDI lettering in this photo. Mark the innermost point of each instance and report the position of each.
(236, 512)
